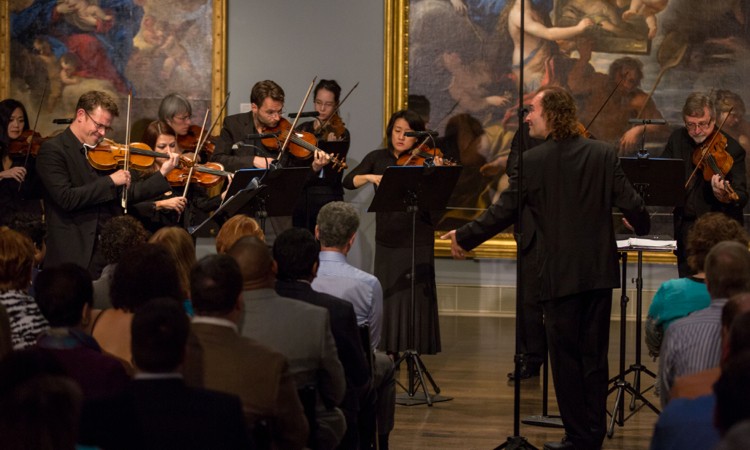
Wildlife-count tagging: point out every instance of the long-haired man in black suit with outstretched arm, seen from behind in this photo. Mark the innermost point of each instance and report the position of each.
(570, 185)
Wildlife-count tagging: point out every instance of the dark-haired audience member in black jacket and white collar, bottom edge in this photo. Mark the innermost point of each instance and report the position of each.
(157, 410)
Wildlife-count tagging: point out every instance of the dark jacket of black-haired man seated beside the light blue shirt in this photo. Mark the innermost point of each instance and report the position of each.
(344, 329)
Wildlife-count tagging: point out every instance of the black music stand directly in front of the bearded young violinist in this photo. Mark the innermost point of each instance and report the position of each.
(283, 187)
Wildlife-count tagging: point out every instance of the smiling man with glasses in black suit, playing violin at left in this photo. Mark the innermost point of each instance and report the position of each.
(78, 198)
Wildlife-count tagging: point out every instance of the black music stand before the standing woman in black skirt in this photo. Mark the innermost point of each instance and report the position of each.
(412, 189)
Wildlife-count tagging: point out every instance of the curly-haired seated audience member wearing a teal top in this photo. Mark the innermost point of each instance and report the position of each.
(679, 297)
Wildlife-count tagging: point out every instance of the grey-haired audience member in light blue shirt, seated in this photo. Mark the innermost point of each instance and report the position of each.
(336, 230)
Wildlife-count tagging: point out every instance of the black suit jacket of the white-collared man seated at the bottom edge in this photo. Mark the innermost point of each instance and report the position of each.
(164, 414)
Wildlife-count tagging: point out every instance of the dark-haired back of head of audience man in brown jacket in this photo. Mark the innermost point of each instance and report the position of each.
(215, 285)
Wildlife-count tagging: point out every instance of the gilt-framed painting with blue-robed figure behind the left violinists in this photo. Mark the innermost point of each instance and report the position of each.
(59, 49)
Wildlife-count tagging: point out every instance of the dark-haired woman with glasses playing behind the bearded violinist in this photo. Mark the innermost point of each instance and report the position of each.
(324, 187)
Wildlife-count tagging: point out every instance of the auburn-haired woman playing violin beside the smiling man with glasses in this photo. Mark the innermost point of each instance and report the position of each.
(169, 207)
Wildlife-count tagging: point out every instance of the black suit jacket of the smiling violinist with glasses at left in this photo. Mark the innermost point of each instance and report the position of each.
(78, 198)
